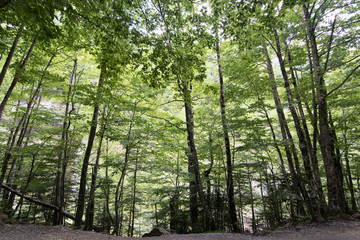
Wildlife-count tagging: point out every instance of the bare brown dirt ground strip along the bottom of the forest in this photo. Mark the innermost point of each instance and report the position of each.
(337, 230)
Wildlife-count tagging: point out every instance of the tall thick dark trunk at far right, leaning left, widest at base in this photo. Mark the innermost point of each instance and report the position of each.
(337, 204)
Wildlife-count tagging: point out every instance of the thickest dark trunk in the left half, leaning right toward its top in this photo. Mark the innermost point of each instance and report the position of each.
(83, 180)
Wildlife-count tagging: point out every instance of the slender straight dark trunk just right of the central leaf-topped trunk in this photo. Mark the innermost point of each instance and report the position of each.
(230, 184)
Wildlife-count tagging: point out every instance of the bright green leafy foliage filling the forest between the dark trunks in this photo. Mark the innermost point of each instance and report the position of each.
(153, 51)
